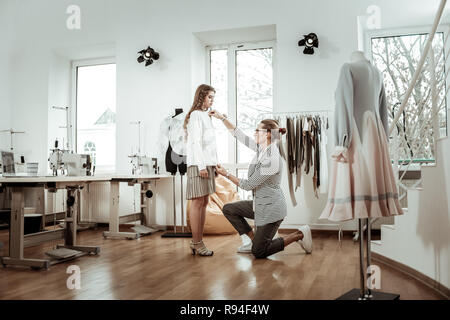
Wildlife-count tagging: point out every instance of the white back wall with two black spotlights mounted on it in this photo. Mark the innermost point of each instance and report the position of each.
(301, 82)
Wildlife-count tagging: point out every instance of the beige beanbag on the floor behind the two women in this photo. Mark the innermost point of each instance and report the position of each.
(215, 221)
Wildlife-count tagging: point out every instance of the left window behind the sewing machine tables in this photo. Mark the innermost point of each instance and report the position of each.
(96, 112)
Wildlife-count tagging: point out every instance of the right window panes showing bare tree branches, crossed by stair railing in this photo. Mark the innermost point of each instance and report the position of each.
(396, 55)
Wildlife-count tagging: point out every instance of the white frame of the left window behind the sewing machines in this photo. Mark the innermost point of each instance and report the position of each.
(75, 64)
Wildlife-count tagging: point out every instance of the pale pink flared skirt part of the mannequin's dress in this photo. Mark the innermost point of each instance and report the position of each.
(362, 183)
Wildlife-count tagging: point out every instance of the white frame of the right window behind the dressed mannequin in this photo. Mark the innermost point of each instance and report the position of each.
(409, 31)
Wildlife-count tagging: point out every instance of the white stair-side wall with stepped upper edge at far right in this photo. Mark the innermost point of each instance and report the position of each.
(420, 238)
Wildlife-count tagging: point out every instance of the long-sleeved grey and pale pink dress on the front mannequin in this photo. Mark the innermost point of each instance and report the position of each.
(362, 183)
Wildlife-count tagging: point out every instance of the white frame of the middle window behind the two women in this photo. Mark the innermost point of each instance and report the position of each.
(232, 48)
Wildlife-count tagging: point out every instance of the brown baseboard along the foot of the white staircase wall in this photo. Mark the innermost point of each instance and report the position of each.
(440, 288)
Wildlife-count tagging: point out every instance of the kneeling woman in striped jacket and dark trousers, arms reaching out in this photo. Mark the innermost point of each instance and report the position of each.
(268, 207)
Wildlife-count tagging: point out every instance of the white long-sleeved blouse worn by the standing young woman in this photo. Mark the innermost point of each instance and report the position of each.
(201, 141)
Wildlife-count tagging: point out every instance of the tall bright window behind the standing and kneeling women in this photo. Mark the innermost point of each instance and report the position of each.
(243, 78)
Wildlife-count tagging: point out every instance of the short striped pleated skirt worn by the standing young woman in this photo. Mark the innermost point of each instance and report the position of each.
(197, 186)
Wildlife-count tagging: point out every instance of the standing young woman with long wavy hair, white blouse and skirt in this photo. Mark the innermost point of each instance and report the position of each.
(201, 161)
